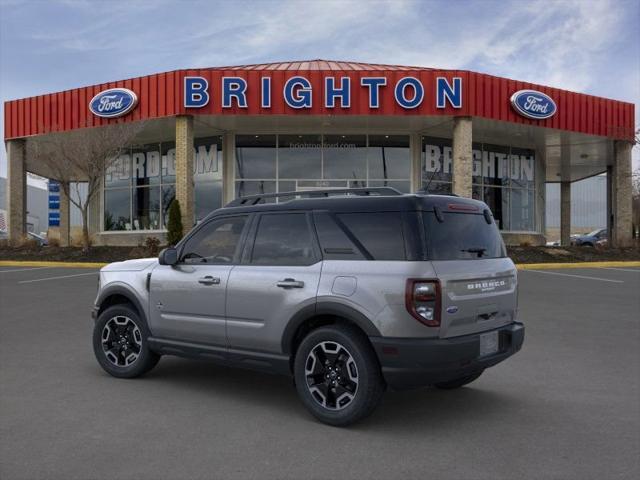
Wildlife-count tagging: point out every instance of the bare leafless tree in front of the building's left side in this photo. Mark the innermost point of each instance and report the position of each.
(82, 155)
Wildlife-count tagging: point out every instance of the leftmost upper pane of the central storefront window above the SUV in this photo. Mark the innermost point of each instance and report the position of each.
(256, 156)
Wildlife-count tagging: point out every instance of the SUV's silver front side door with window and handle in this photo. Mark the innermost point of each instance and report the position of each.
(187, 300)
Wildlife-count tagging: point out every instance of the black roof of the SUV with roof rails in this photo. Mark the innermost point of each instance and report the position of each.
(359, 203)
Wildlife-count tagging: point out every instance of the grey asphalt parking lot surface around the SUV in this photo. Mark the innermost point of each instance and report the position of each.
(567, 406)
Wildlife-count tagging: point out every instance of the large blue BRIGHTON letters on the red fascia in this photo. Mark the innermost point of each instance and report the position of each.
(408, 92)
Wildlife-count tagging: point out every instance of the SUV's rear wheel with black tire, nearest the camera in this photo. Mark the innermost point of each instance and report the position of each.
(346, 389)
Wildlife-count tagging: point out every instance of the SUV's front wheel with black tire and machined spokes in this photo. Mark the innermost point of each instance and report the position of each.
(120, 343)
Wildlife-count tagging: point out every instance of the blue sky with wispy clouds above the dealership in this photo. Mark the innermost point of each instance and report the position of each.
(581, 45)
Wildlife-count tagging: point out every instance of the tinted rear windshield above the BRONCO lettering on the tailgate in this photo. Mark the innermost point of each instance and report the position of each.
(462, 236)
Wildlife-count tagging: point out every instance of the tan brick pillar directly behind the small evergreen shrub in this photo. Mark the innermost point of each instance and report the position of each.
(184, 170)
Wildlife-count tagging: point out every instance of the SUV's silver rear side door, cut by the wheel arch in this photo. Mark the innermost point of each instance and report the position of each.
(279, 276)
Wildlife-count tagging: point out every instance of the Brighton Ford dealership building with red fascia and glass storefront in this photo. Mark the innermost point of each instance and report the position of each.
(211, 135)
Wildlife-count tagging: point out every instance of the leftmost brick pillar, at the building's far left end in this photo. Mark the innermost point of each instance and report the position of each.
(16, 191)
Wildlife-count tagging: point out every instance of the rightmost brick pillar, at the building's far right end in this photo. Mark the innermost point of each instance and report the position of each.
(621, 235)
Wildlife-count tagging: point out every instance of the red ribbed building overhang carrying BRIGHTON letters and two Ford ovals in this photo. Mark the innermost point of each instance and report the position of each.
(298, 90)
